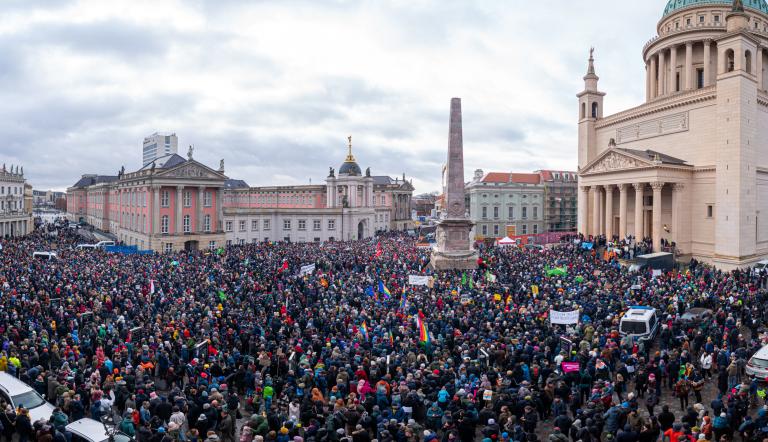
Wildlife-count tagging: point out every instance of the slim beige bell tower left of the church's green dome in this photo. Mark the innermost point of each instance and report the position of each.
(590, 110)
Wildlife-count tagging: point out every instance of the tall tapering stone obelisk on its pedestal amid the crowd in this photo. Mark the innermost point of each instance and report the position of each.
(454, 249)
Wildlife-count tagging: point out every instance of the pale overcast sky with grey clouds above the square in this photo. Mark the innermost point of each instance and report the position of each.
(275, 87)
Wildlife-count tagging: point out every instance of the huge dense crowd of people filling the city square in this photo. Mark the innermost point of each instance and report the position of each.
(240, 343)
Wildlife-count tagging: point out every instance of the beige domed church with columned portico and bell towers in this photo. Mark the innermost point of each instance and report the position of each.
(690, 165)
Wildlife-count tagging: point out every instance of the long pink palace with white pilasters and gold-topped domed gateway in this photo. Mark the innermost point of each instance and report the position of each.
(175, 203)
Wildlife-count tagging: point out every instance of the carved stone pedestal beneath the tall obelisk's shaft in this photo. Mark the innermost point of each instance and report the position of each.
(454, 251)
